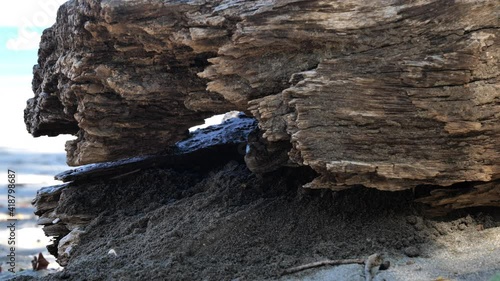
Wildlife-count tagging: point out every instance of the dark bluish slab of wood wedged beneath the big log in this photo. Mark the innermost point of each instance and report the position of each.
(207, 147)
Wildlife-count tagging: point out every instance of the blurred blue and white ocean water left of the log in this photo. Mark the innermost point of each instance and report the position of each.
(33, 170)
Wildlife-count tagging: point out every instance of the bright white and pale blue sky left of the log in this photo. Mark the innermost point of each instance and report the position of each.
(21, 25)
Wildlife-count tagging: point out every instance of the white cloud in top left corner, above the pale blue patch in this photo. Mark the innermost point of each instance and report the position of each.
(29, 13)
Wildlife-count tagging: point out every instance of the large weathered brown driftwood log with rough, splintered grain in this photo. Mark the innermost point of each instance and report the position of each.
(387, 94)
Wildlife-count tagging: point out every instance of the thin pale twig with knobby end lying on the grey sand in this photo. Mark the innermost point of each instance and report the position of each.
(372, 261)
